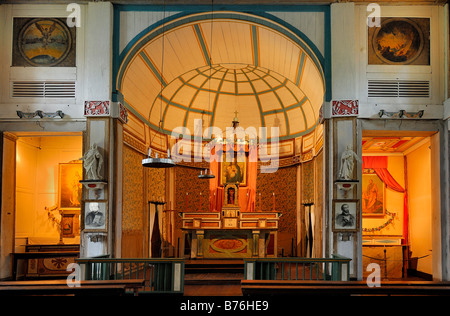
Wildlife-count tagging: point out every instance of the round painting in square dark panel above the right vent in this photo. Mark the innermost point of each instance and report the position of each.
(400, 41)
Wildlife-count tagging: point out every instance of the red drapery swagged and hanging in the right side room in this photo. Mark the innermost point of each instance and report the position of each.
(379, 165)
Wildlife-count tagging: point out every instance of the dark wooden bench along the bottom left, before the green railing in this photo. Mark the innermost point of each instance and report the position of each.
(60, 287)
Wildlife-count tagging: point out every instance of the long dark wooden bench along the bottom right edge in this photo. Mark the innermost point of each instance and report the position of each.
(285, 287)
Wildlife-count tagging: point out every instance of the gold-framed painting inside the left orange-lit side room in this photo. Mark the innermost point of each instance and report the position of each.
(70, 188)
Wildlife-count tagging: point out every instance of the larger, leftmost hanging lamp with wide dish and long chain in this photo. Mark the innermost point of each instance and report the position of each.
(159, 162)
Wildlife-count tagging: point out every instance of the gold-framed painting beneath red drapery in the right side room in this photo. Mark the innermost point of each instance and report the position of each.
(373, 194)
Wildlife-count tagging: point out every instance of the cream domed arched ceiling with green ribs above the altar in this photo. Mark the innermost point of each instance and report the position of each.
(208, 68)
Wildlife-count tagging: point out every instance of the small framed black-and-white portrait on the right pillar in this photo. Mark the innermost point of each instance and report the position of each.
(345, 215)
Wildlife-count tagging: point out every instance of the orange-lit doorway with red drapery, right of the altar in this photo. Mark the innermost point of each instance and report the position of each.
(397, 203)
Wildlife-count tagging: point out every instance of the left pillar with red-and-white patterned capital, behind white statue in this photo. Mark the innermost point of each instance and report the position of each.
(104, 129)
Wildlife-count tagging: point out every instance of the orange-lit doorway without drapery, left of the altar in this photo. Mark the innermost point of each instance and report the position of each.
(48, 198)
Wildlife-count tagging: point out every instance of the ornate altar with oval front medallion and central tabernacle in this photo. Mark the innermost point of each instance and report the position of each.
(230, 233)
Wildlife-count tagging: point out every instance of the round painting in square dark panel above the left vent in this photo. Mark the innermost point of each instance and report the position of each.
(43, 42)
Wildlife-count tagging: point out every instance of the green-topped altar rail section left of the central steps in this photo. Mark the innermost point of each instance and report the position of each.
(161, 275)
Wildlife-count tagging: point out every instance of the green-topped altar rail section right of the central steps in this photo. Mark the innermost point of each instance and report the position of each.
(334, 269)
